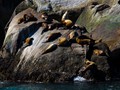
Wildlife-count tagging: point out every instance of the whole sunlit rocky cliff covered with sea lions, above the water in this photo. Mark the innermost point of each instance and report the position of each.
(42, 44)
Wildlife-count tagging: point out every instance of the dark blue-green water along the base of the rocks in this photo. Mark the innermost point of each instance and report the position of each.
(65, 86)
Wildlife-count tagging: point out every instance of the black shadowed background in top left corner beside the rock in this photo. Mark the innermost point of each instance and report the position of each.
(6, 10)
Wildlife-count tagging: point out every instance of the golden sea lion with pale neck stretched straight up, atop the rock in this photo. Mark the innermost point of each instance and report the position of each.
(66, 22)
